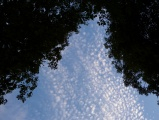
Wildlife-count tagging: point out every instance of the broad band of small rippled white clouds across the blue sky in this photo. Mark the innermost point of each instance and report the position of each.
(86, 86)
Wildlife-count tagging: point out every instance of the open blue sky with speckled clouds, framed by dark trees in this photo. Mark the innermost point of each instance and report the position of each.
(84, 87)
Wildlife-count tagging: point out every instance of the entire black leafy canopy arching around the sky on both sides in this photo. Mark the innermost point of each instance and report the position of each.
(33, 31)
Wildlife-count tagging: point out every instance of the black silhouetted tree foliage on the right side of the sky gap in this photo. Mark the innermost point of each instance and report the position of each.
(134, 42)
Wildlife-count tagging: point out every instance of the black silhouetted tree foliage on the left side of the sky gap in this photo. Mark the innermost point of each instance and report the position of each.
(32, 32)
